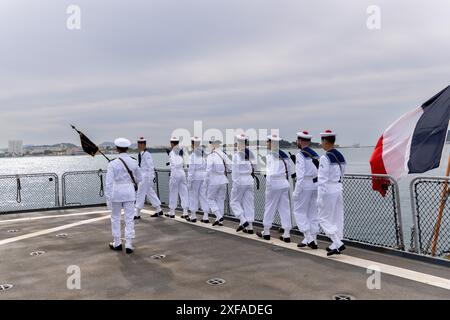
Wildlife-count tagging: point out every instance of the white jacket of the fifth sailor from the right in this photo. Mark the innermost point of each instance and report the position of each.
(215, 168)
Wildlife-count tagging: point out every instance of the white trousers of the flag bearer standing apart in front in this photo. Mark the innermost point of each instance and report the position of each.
(116, 208)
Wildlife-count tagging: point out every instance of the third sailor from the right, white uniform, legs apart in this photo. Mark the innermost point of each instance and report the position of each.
(278, 169)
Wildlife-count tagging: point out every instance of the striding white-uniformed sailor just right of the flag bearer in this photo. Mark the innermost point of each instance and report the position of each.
(146, 187)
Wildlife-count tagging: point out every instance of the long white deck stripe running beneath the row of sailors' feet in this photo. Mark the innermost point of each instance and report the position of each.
(354, 261)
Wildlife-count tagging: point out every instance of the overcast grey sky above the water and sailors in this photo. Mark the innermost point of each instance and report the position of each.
(148, 67)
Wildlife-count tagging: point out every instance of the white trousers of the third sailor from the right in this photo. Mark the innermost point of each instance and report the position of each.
(277, 200)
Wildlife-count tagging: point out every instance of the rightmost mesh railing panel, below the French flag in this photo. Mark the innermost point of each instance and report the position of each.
(431, 215)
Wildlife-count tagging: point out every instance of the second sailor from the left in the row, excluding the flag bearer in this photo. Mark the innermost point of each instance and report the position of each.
(177, 181)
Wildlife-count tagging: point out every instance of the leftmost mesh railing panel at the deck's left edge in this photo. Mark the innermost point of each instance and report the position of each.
(25, 192)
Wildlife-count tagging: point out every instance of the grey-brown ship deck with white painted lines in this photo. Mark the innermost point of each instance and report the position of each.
(194, 253)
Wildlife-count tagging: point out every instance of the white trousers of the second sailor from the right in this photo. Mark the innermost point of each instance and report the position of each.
(305, 213)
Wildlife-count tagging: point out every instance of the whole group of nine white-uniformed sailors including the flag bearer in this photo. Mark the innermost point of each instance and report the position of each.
(317, 198)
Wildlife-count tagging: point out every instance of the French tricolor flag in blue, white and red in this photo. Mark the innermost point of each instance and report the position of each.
(413, 143)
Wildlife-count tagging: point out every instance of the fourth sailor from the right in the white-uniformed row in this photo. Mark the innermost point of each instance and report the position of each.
(242, 193)
